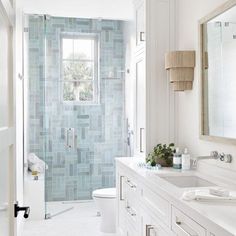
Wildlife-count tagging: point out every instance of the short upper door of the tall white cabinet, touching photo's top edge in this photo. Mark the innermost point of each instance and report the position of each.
(140, 22)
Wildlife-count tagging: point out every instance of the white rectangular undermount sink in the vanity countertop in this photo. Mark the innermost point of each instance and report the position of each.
(187, 181)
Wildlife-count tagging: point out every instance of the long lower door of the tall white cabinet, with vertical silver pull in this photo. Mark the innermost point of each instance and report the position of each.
(140, 134)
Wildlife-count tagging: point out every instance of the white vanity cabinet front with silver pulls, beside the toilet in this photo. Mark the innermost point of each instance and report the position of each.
(146, 210)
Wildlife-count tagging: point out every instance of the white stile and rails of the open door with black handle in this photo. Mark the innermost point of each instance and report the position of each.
(7, 133)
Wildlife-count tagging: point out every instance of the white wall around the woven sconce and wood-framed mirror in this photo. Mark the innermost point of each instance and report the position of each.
(187, 117)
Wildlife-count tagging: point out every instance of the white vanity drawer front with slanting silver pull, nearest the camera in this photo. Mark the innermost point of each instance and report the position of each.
(182, 225)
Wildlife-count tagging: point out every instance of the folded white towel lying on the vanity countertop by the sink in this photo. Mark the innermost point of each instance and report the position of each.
(205, 196)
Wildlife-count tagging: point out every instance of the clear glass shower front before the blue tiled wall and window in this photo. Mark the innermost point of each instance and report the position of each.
(83, 108)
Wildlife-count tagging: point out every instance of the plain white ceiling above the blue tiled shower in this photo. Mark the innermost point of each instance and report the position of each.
(107, 9)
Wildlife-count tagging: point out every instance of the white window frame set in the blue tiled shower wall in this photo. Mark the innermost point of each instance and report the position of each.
(96, 79)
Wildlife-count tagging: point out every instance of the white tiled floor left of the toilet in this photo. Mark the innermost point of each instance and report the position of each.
(80, 221)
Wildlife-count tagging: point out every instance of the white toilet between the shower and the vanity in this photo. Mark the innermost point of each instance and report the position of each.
(105, 199)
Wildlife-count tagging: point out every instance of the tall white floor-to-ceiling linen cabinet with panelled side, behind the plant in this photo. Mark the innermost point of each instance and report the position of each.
(154, 20)
